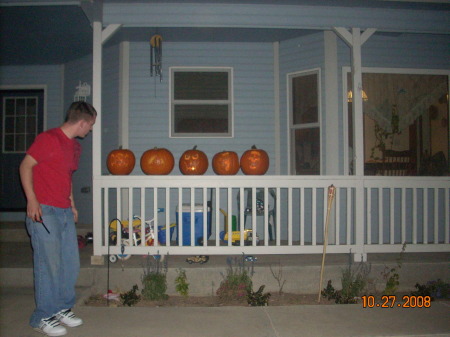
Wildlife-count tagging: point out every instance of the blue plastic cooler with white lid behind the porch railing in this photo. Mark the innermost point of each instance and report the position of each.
(198, 226)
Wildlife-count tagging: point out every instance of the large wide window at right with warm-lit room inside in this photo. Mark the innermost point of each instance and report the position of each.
(406, 122)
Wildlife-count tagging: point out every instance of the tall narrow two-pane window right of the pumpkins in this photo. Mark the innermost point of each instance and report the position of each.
(304, 123)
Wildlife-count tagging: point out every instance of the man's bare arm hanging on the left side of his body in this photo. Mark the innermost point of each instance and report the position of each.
(34, 210)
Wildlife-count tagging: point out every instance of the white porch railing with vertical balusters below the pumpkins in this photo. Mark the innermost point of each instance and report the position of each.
(369, 214)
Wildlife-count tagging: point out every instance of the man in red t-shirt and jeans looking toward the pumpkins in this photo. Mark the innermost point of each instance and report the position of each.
(46, 176)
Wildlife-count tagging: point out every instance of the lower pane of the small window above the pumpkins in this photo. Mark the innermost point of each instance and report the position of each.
(201, 119)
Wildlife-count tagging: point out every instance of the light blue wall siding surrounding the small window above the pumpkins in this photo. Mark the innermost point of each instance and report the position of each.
(252, 64)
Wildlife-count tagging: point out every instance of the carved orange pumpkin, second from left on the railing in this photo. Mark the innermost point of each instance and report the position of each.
(157, 161)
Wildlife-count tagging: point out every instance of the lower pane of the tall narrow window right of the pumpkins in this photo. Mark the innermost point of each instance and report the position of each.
(307, 151)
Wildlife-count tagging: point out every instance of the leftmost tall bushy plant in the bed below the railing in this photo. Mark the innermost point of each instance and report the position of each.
(154, 280)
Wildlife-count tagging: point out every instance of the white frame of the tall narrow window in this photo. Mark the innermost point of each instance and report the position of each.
(291, 127)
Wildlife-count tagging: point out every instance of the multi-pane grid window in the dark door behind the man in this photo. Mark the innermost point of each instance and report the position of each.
(20, 120)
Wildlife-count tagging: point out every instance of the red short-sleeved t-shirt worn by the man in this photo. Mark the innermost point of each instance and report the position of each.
(57, 157)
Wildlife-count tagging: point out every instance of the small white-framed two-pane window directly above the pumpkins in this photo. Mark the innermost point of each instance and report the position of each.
(201, 102)
